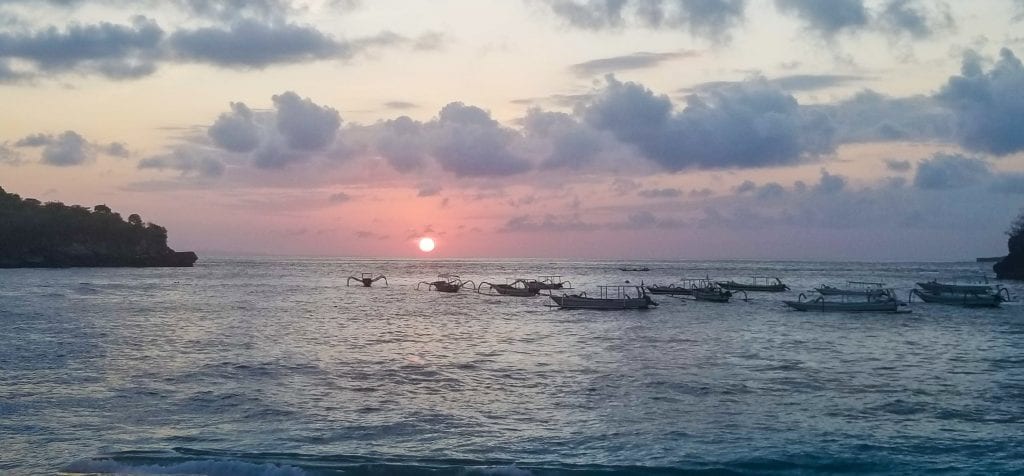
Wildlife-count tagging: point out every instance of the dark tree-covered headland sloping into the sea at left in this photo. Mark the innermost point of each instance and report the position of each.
(55, 235)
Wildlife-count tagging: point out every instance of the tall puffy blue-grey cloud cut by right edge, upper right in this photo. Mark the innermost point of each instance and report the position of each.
(989, 107)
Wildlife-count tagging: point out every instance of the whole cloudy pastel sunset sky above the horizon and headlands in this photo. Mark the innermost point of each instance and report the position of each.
(564, 129)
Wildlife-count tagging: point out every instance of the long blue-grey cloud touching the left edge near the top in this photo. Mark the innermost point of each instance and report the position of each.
(116, 52)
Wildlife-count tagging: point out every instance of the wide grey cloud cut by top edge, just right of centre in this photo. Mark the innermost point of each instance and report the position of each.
(708, 19)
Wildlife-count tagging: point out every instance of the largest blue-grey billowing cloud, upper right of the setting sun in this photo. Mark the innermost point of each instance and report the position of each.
(748, 125)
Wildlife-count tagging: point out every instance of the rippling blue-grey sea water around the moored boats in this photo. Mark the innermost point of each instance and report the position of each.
(275, 367)
